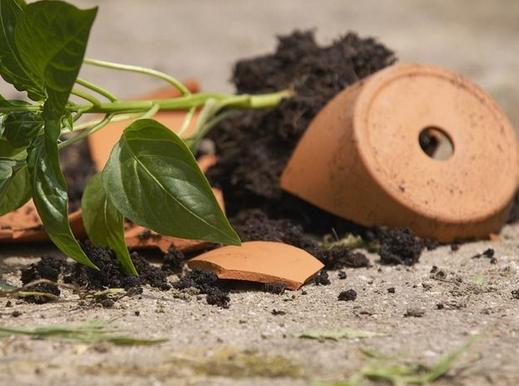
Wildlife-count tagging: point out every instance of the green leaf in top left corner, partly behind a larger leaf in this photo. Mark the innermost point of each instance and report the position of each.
(12, 67)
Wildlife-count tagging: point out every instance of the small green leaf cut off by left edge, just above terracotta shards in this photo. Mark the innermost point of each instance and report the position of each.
(15, 186)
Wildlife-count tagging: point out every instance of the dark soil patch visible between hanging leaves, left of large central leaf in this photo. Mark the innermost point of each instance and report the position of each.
(78, 167)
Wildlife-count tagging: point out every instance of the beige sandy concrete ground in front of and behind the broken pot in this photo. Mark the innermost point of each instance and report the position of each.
(247, 344)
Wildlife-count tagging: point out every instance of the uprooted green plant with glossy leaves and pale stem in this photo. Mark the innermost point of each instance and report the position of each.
(151, 177)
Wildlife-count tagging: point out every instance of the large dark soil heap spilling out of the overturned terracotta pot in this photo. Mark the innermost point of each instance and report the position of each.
(254, 146)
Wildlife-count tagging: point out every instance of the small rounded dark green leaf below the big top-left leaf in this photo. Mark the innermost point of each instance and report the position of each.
(20, 127)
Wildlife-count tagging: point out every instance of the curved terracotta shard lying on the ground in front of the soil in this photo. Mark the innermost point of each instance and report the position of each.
(260, 261)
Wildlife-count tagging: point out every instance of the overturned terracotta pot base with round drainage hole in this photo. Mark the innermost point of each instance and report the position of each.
(361, 159)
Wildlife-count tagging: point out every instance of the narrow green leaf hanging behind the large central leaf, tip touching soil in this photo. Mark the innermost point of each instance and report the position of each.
(104, 223)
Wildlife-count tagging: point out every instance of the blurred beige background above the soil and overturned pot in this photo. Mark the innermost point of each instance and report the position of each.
(203, 38)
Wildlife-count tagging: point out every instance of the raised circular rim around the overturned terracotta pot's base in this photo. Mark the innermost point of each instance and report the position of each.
(373, 85)
